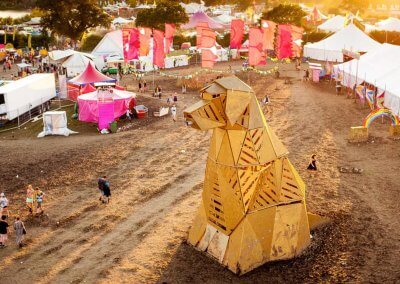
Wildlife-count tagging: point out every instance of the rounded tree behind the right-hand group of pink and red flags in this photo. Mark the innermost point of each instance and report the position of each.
(285, 14)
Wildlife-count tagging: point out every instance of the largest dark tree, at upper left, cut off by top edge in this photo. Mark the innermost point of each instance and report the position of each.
(72, 18)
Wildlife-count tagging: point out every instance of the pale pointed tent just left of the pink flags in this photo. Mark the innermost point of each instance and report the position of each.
(110, 44)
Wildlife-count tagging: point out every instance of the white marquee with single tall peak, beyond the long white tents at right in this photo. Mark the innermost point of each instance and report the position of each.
(331, 48)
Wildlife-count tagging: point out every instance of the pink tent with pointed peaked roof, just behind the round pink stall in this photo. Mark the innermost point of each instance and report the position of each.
(90, 76)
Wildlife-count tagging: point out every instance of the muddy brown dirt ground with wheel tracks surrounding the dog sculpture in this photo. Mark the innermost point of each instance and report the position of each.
(156, 169)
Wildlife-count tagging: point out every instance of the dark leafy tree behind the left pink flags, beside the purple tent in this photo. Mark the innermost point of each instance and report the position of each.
(164, 12)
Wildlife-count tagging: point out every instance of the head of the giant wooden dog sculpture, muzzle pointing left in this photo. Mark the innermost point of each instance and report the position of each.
(225, 104)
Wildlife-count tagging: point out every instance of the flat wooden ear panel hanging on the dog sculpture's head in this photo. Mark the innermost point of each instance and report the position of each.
(236, 103)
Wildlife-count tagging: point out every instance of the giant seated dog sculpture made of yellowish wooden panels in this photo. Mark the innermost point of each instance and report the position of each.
(253, 203)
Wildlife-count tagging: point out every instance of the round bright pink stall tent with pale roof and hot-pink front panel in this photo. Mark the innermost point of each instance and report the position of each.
(116, 100)
